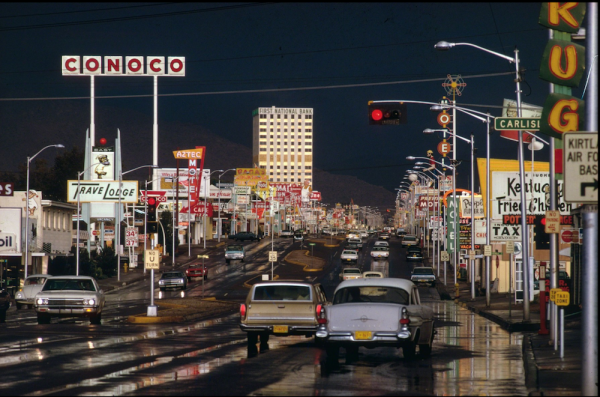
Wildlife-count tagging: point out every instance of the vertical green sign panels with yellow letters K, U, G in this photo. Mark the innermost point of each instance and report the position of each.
(563, 64)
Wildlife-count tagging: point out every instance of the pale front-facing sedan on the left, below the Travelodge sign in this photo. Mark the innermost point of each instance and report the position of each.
(70, 296)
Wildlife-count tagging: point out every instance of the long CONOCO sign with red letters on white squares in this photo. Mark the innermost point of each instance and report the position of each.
(115, 66)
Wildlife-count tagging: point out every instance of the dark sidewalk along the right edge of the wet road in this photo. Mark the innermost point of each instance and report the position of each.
(546, 373)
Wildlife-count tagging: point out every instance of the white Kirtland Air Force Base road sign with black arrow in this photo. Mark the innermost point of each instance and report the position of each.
(580, 167)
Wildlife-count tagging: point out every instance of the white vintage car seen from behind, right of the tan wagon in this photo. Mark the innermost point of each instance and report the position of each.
(374, 312)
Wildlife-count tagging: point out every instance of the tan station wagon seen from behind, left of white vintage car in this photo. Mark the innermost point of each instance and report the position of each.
(281, 308)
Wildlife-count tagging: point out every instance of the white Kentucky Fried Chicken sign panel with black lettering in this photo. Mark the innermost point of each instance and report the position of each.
(506, 190)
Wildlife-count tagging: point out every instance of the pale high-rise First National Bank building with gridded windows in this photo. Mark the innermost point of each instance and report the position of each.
(282, 143)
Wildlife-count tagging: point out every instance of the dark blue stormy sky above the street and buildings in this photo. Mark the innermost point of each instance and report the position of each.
(289, 45)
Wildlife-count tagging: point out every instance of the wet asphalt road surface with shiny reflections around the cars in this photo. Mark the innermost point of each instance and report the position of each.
(471, 355)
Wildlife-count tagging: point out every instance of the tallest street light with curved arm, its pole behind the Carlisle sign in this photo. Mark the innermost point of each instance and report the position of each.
(444, 46)
